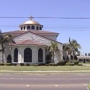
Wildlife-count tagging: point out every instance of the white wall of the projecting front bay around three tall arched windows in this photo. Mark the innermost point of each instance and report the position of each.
(34, 53)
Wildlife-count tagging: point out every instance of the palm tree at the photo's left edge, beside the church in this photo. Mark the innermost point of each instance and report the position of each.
(5, 38)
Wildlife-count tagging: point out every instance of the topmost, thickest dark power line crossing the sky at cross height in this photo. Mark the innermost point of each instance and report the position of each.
(52, 17)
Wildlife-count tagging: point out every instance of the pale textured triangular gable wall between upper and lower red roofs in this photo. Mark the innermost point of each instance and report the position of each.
(34, 37)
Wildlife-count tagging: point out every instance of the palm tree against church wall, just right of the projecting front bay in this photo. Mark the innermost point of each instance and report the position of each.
(53, 48)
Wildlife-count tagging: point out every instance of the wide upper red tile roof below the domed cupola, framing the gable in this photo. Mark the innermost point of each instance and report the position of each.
(45, 34)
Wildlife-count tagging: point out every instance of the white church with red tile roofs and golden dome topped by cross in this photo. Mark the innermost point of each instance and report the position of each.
(31, 43)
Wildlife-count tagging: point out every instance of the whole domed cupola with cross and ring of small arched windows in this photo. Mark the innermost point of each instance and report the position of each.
(30, 25)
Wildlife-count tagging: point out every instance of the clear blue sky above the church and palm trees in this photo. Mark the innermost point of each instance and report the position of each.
(78, 29)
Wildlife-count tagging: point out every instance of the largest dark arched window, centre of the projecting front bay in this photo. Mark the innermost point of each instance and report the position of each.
(27, 55)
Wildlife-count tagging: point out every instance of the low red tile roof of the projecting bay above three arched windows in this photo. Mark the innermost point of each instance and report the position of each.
(28, 42)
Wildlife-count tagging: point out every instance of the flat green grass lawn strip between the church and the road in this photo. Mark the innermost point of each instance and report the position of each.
(44, 68)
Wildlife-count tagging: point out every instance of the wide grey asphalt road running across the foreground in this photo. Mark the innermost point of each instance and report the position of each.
(44, 82)
